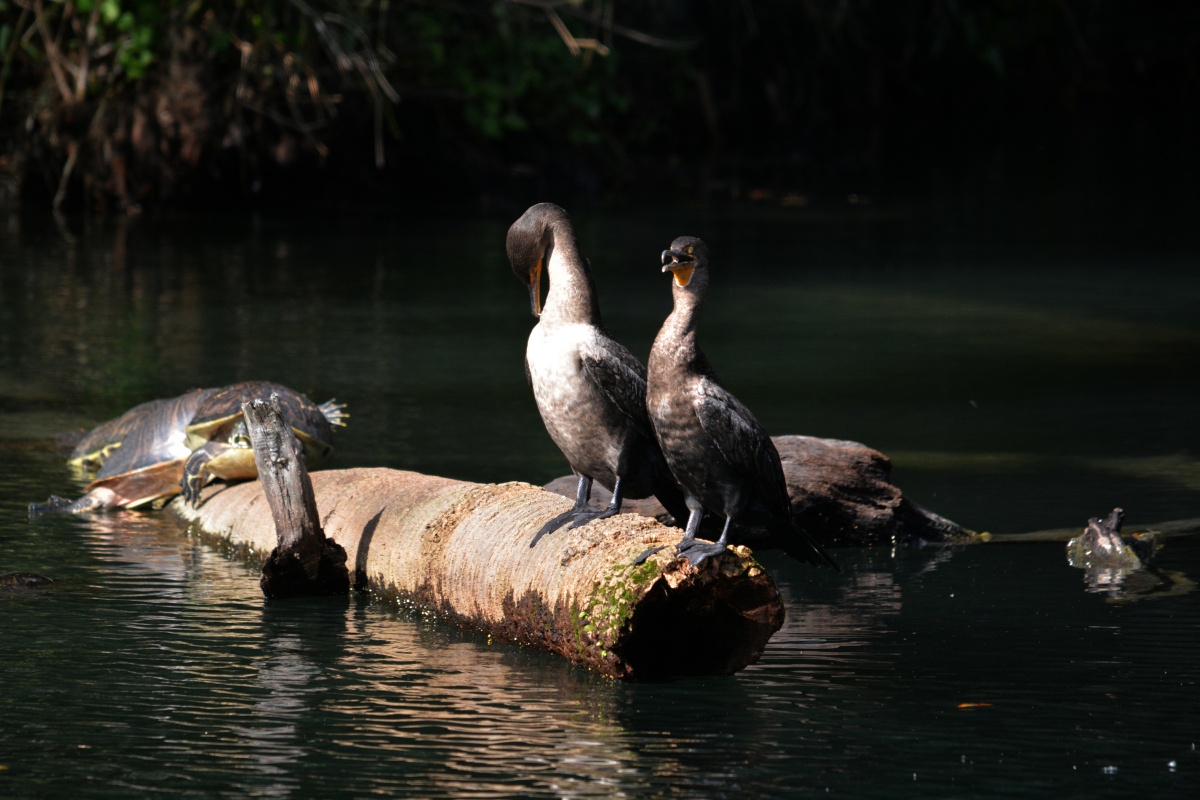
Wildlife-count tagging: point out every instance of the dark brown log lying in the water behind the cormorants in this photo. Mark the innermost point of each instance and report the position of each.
(842, 494)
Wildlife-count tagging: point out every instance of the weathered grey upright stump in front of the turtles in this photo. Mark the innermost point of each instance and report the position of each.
(304, 562)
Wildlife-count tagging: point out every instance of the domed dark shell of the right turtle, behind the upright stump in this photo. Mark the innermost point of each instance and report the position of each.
(223, 410)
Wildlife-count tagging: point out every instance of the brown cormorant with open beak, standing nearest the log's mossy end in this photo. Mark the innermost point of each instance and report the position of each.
(716, 448)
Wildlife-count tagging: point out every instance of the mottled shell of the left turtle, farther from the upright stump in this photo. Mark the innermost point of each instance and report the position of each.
(147, 460)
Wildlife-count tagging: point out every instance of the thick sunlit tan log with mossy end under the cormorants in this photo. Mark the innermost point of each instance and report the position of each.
(463, 551)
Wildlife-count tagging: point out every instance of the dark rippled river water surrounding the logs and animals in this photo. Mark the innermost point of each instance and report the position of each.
(1024, 372)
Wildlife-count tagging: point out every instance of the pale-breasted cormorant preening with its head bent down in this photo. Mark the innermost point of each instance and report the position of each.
(591, 390)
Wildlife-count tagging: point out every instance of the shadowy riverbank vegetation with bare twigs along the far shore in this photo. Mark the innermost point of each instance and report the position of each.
(127, 105)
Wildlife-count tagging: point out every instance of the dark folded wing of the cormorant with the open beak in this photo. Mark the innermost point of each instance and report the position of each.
(746, 446)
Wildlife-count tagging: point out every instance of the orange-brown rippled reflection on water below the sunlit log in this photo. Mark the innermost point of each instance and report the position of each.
(464, 719)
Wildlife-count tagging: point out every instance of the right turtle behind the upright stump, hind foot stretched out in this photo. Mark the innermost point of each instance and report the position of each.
(220, 440)
